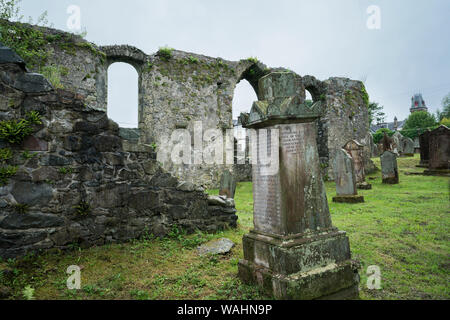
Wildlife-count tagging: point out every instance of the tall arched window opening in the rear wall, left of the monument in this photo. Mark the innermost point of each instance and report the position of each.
(123, 95)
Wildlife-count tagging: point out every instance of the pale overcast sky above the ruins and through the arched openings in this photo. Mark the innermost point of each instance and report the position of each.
(409, 54)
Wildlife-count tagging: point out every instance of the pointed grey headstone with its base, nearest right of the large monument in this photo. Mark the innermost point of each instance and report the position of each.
(345, 178)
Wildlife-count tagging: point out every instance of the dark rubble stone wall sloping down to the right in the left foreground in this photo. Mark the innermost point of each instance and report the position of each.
(71, 181)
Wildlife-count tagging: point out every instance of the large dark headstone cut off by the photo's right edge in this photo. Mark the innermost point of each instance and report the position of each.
(439, 152)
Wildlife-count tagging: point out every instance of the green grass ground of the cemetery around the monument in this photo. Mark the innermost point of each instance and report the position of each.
(403, 229)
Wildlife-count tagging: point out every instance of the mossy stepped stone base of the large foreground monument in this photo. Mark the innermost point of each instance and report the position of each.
(301, 267)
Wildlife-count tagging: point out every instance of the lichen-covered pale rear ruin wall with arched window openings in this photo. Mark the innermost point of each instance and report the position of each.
(180, 88)
